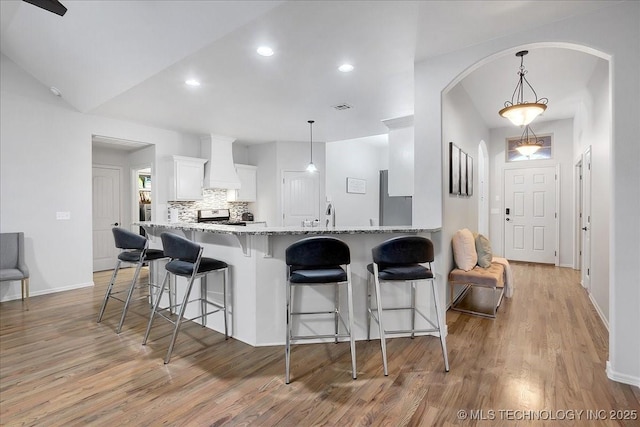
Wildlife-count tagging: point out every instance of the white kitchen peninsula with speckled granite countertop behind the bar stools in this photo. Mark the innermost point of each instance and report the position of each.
(256, 256)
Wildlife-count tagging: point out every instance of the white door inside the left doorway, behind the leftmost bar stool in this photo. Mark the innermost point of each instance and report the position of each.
(106, 215)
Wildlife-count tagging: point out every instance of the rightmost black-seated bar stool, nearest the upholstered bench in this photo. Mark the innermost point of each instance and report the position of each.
(399, 260)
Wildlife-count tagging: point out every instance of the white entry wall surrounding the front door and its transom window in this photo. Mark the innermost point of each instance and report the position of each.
(562, 152)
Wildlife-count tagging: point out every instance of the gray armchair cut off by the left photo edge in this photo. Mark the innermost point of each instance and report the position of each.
(12, 264)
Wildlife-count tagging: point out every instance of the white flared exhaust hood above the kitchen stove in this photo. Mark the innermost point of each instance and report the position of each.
(220, 171)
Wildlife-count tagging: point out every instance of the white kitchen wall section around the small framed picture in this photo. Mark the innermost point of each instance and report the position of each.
(360, 158)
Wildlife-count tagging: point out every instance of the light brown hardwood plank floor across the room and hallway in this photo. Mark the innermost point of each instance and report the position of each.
(544, 356)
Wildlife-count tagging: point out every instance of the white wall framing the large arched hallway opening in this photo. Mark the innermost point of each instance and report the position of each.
(612, 33)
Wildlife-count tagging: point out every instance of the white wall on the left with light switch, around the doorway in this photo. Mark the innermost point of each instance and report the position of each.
(45, 167)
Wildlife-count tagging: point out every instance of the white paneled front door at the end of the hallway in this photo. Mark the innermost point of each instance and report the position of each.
(530, 210)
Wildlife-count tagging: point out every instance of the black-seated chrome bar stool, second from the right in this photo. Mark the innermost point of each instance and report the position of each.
(318, 261)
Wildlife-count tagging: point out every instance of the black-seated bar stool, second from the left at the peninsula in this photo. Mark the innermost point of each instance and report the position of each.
(187, 261)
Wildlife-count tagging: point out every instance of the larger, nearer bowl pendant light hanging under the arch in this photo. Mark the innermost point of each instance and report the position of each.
(518, 110)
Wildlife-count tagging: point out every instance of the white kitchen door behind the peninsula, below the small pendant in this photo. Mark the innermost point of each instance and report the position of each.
(300, 197)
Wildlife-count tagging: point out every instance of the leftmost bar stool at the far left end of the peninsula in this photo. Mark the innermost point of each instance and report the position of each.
(134, 250)
